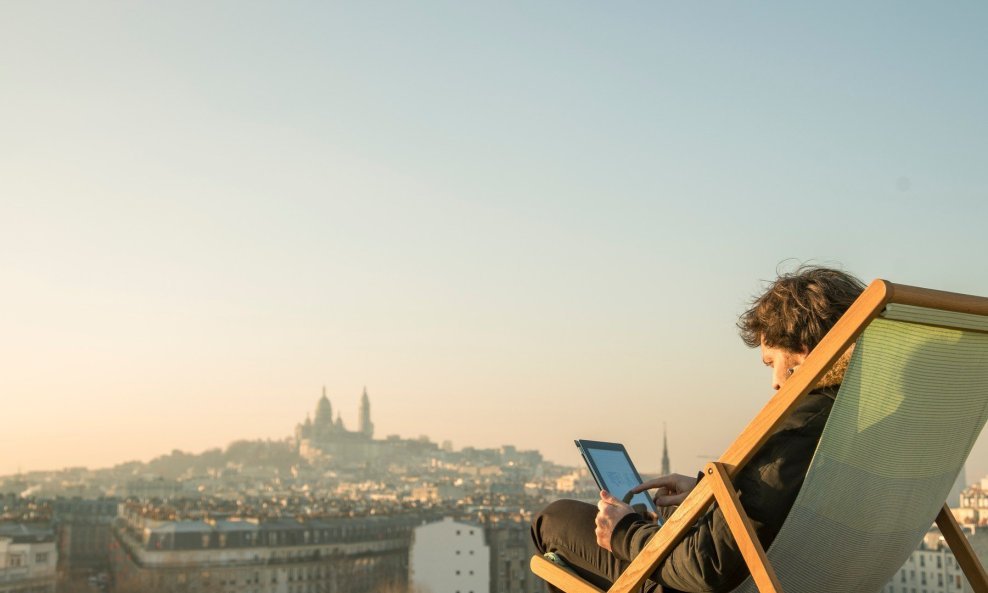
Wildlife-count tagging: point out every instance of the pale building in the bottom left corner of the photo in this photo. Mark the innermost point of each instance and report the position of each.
(28, 557)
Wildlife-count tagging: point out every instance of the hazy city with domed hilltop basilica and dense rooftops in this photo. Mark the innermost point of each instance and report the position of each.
(327, 510)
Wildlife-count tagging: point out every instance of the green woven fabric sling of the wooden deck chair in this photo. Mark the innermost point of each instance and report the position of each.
(913, 401)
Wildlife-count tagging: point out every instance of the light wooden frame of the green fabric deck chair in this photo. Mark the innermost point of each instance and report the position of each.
(717, 486)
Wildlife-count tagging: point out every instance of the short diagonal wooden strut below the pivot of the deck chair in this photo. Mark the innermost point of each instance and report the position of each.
(744, 534)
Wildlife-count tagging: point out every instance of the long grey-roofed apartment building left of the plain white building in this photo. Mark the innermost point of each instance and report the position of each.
(335, 555)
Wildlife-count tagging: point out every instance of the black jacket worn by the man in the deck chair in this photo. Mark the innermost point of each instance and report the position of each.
(708, 558)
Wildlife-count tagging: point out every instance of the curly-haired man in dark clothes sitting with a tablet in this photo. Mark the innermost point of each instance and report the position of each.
(598, 542)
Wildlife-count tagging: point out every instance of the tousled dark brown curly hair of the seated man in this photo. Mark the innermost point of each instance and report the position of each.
(799, 308)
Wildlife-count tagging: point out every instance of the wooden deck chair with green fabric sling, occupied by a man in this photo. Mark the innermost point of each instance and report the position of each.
(913, 401)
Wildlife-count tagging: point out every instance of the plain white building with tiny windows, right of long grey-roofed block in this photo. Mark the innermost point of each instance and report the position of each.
(450, 556)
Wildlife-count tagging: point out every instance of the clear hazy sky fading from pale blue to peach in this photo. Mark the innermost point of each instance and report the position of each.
(513, 223)
